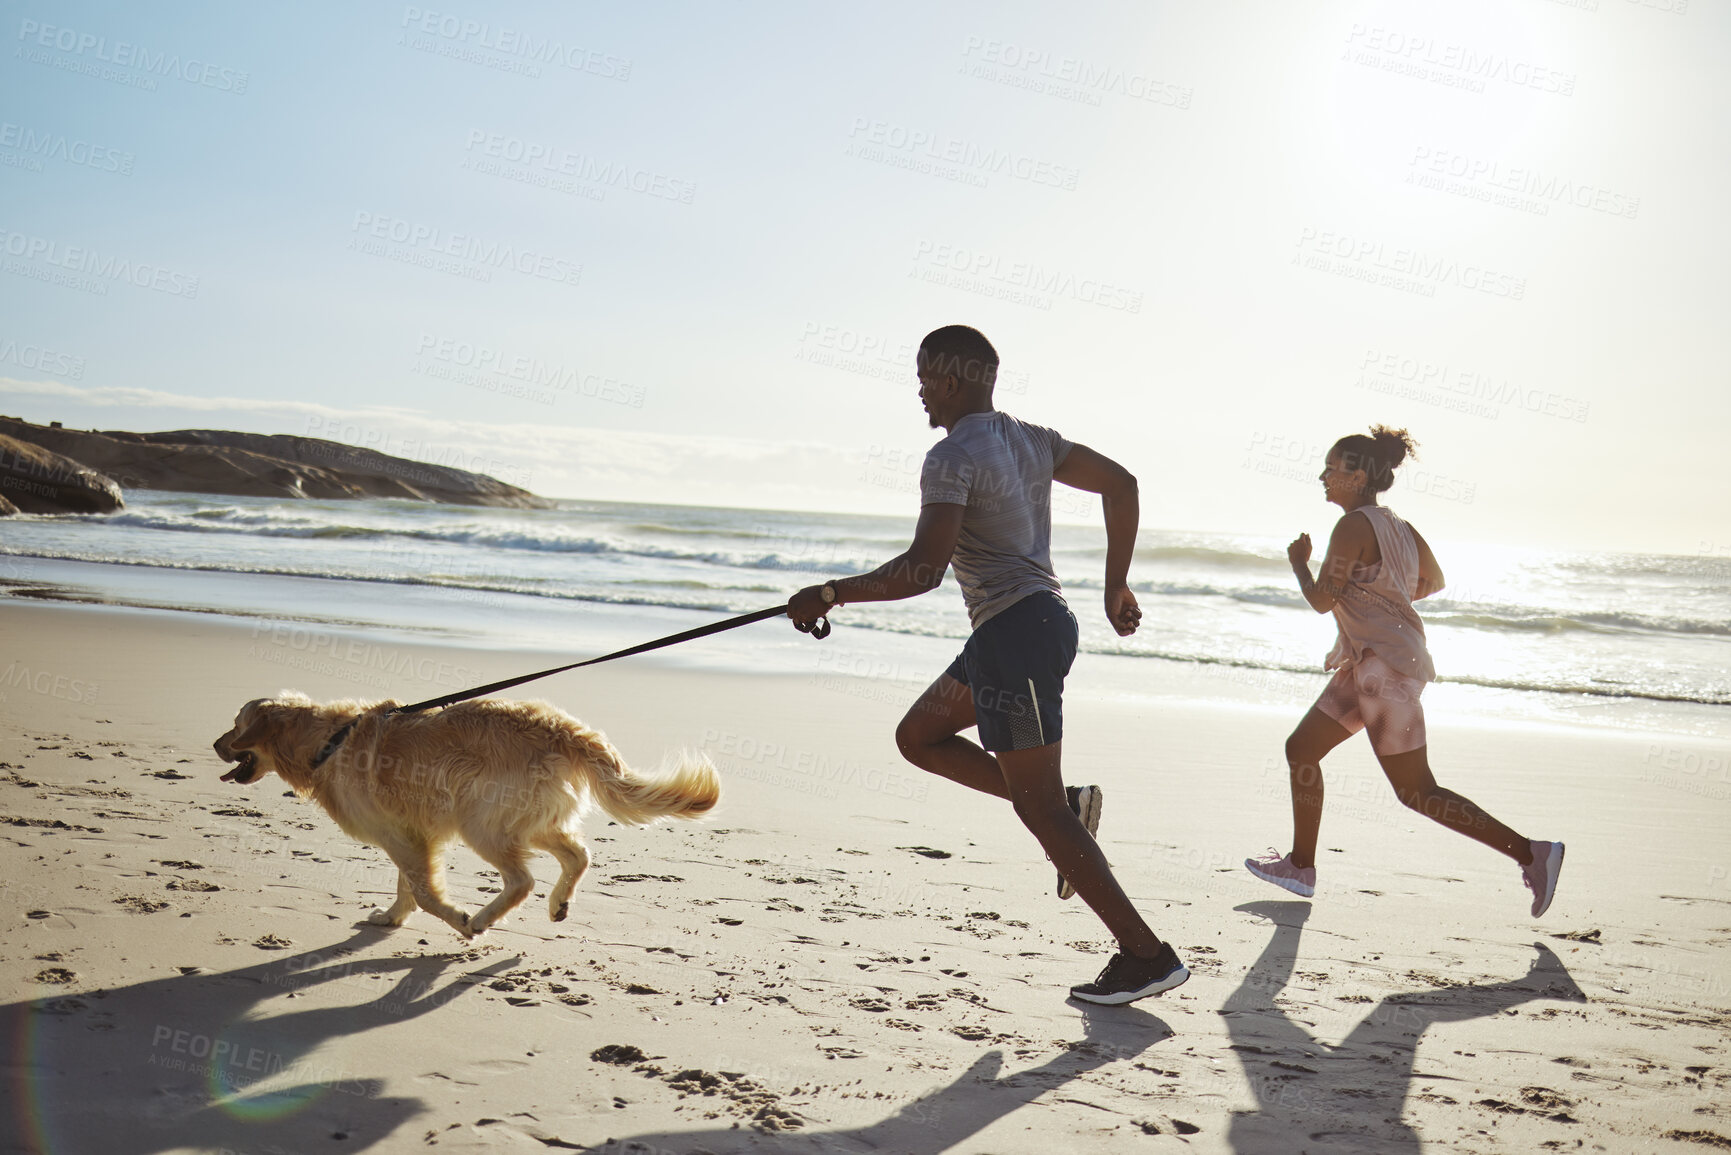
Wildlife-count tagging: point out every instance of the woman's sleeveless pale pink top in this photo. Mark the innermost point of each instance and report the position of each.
(1375, 612)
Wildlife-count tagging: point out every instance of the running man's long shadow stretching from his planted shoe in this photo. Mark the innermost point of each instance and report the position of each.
(937, 1121)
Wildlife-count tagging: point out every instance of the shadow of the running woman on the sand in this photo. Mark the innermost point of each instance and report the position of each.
(1320, 1099)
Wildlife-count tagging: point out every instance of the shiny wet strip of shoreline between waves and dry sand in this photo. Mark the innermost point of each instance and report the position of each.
(295, 614)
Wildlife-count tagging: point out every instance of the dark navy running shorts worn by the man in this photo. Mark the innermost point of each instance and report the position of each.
(1015, 666)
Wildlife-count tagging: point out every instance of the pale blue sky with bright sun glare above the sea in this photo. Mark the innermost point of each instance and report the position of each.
(683, 252)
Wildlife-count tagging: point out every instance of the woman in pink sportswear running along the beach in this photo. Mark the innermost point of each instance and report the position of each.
(1377, 567)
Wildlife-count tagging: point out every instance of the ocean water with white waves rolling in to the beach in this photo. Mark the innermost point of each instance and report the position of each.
(1529, 631)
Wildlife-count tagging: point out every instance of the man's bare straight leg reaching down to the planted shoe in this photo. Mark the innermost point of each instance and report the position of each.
(1036, 789)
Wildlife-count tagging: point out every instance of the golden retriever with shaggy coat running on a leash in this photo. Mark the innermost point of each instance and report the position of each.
(508, 778)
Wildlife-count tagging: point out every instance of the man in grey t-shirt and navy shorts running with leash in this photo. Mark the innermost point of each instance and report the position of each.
(986, 508)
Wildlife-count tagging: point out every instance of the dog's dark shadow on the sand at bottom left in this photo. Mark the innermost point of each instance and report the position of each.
(200, 1061)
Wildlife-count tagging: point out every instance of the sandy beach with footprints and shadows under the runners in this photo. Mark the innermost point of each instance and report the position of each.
(849, 957)
